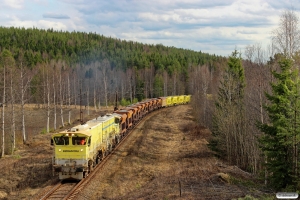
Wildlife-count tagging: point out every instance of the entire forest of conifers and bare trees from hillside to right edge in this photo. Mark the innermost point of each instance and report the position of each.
(250, 100)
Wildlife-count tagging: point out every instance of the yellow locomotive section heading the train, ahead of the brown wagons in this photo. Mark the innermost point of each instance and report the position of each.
(80, 146)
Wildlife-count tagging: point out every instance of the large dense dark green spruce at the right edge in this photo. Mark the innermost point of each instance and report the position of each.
(281, 136)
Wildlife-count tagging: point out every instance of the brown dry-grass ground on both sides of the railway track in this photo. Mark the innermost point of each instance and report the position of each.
(165, 157)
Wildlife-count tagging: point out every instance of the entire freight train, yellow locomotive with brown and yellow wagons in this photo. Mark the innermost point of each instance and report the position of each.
(79, 149)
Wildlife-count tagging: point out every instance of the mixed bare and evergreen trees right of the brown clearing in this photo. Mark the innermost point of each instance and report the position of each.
(254, 111)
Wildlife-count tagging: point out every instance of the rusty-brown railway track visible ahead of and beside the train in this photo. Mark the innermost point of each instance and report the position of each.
(67, 191)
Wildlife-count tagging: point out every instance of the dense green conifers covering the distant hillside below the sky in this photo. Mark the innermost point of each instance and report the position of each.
(84, 48)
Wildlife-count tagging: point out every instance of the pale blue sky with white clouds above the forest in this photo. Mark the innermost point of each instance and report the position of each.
(210, 26)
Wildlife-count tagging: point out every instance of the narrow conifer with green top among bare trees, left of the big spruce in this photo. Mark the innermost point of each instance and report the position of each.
(229, 125)
